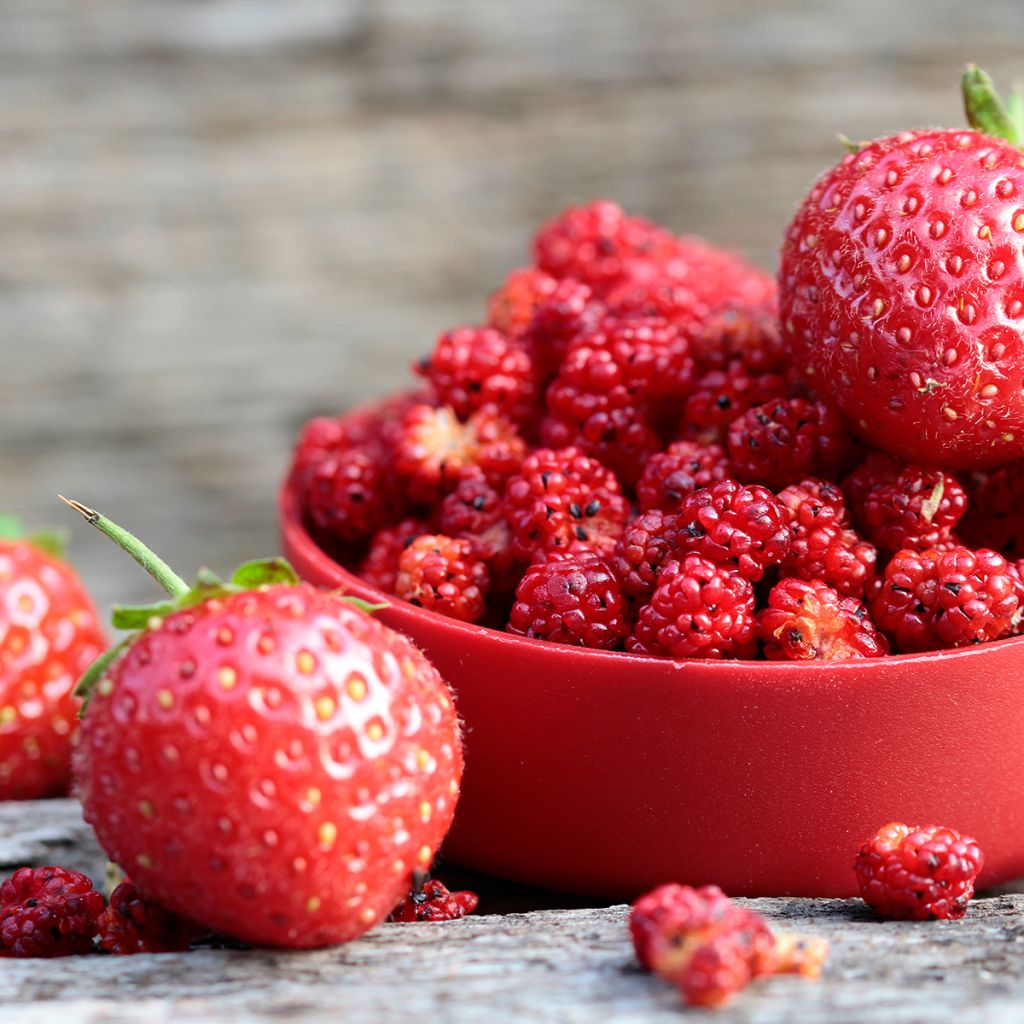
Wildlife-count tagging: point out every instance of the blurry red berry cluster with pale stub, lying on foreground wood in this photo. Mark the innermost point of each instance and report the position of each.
(711, 948)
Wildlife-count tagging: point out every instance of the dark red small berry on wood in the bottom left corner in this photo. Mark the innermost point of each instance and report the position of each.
(48, 912)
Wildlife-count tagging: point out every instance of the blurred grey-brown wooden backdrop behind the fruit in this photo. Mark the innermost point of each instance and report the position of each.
(220, 218)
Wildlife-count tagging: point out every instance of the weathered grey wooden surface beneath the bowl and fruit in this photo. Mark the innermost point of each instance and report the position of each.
(558, 966)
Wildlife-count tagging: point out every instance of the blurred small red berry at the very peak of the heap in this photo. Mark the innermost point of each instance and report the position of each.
(598, 244)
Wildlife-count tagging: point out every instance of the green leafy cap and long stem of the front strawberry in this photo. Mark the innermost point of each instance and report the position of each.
(251, 576)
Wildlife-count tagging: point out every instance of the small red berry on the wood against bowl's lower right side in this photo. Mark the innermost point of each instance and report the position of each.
(918, 873)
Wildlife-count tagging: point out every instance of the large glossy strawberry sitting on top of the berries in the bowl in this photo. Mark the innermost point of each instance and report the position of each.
(903, 288)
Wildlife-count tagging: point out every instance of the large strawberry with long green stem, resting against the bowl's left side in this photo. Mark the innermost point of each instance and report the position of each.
(265, 757)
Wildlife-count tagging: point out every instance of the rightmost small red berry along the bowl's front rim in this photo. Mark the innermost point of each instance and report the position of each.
(950, 599)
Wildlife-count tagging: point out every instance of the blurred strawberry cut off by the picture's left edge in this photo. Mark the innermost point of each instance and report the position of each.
(50, 634)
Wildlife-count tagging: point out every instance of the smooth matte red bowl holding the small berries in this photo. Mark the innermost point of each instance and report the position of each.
(607, 774)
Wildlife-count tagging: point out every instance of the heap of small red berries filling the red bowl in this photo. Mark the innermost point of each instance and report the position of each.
(630, 456)
